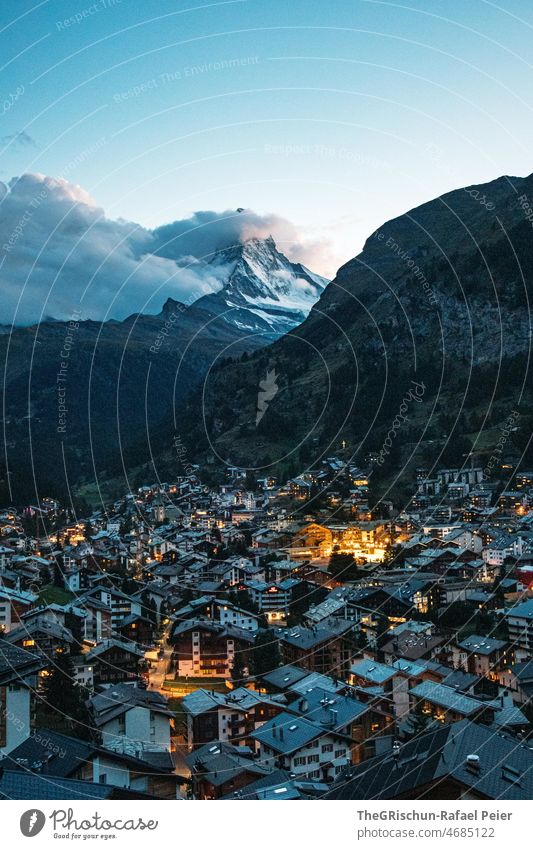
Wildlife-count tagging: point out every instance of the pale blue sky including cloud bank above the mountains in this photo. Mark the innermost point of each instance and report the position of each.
(325, 119)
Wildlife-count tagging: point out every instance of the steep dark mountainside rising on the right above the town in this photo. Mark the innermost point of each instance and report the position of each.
(439, 298)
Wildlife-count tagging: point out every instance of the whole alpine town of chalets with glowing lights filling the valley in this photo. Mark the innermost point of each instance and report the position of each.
(268, 644)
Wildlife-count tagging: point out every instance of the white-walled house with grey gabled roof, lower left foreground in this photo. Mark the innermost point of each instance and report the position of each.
(131, 720)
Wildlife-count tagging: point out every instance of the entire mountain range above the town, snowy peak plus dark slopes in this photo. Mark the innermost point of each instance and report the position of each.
(418, 352)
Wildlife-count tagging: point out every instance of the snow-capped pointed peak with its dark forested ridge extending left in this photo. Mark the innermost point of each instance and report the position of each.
(81, 398)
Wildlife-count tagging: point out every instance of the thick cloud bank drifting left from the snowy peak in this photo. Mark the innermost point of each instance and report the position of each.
(60, 254)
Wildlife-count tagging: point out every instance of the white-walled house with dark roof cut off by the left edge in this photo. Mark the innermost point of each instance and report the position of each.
(18, 680)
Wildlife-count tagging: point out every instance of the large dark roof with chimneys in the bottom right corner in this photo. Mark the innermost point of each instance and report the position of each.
(461, 761)
